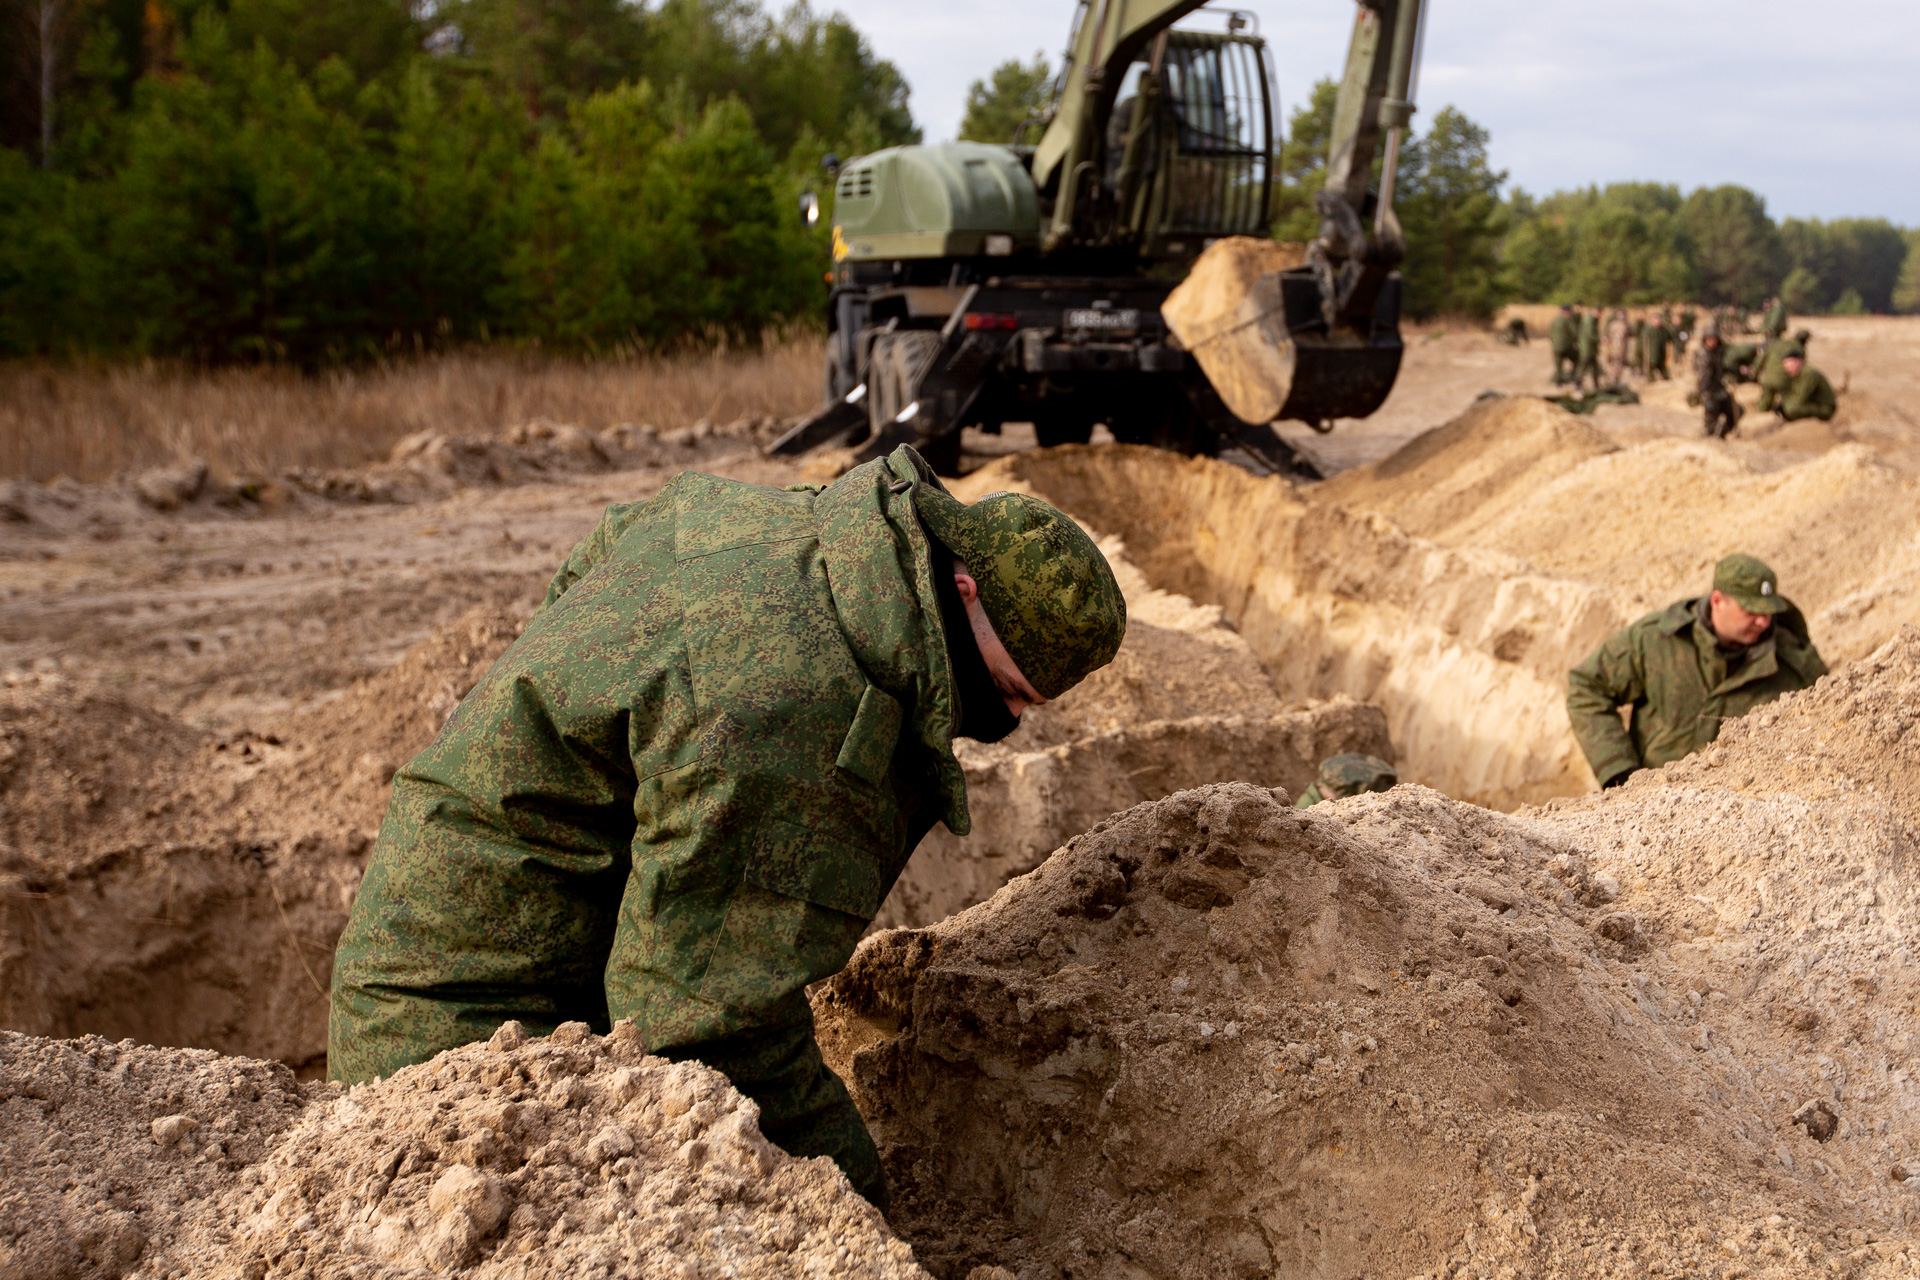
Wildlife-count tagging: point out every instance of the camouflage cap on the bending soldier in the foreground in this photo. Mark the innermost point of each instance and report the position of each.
(1047, 590)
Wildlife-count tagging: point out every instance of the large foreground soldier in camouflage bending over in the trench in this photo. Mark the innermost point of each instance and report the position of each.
(686, 790)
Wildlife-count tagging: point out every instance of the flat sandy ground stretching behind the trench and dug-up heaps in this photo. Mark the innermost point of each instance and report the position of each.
(218, 617)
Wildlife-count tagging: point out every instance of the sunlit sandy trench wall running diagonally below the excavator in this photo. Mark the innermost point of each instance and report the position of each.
(1466, 652)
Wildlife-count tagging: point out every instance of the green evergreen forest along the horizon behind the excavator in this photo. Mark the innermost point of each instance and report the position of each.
(325, 181)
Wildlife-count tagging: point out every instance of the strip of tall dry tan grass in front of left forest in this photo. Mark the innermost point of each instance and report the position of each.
(101, 421)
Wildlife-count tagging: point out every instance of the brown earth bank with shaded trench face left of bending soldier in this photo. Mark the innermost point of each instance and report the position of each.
(181, 888)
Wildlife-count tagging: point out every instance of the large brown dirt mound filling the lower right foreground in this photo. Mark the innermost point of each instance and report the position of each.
(1658, 1031)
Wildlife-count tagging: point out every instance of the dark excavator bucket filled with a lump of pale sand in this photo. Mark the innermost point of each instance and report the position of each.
(1251, 314)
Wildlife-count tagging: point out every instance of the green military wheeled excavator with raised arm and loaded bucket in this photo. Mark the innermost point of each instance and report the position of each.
(1120, 272)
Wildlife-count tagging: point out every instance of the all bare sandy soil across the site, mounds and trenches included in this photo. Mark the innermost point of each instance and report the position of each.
(1489, 1026)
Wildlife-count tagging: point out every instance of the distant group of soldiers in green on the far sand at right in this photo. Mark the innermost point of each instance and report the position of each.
(1792, 389)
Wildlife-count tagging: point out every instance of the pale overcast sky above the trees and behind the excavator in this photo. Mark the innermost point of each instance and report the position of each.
(1812, 103)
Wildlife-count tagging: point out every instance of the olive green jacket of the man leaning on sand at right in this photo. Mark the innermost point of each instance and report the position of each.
(1681, 688)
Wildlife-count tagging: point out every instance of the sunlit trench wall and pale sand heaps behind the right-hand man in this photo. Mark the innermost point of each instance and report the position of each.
(1460, 579)
